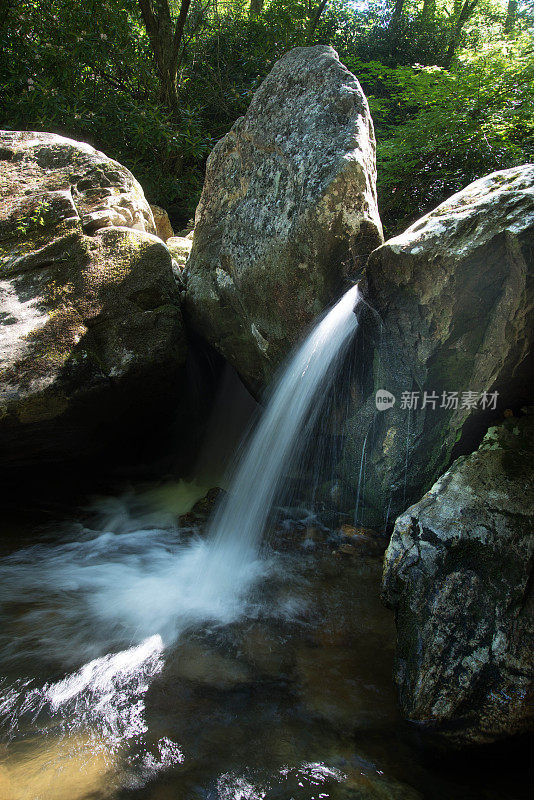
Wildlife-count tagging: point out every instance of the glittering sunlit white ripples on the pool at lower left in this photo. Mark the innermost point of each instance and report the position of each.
(100, 709)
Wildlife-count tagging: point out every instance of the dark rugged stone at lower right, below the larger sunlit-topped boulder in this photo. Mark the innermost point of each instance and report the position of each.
(458, 573)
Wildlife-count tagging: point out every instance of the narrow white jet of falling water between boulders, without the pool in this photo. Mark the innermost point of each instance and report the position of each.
(238, 523)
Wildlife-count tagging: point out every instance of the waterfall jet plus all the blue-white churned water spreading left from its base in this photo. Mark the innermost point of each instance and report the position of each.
(130, 576)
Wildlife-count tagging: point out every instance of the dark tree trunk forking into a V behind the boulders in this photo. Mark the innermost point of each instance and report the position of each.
(165, 37)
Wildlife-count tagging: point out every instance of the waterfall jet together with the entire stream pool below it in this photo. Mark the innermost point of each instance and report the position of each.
(137, 659)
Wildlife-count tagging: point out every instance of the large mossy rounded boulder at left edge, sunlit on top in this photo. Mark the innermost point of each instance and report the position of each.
(92, 344)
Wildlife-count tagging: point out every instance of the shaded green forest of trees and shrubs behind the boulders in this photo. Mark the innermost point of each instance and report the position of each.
(155, 83)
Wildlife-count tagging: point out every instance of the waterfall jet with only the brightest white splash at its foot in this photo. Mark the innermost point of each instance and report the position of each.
(208, 580)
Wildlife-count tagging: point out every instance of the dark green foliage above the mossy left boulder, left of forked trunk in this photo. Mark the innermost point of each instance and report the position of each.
(84, 70)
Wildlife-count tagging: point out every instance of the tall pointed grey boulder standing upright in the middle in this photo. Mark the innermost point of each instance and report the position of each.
(287, 213)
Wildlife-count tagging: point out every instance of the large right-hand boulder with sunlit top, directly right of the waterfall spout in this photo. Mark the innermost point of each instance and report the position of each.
(454, 317)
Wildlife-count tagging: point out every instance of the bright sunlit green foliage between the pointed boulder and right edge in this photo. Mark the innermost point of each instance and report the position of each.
(439, 130)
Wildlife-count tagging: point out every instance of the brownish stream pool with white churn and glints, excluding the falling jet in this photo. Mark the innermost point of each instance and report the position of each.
(287, 696)
